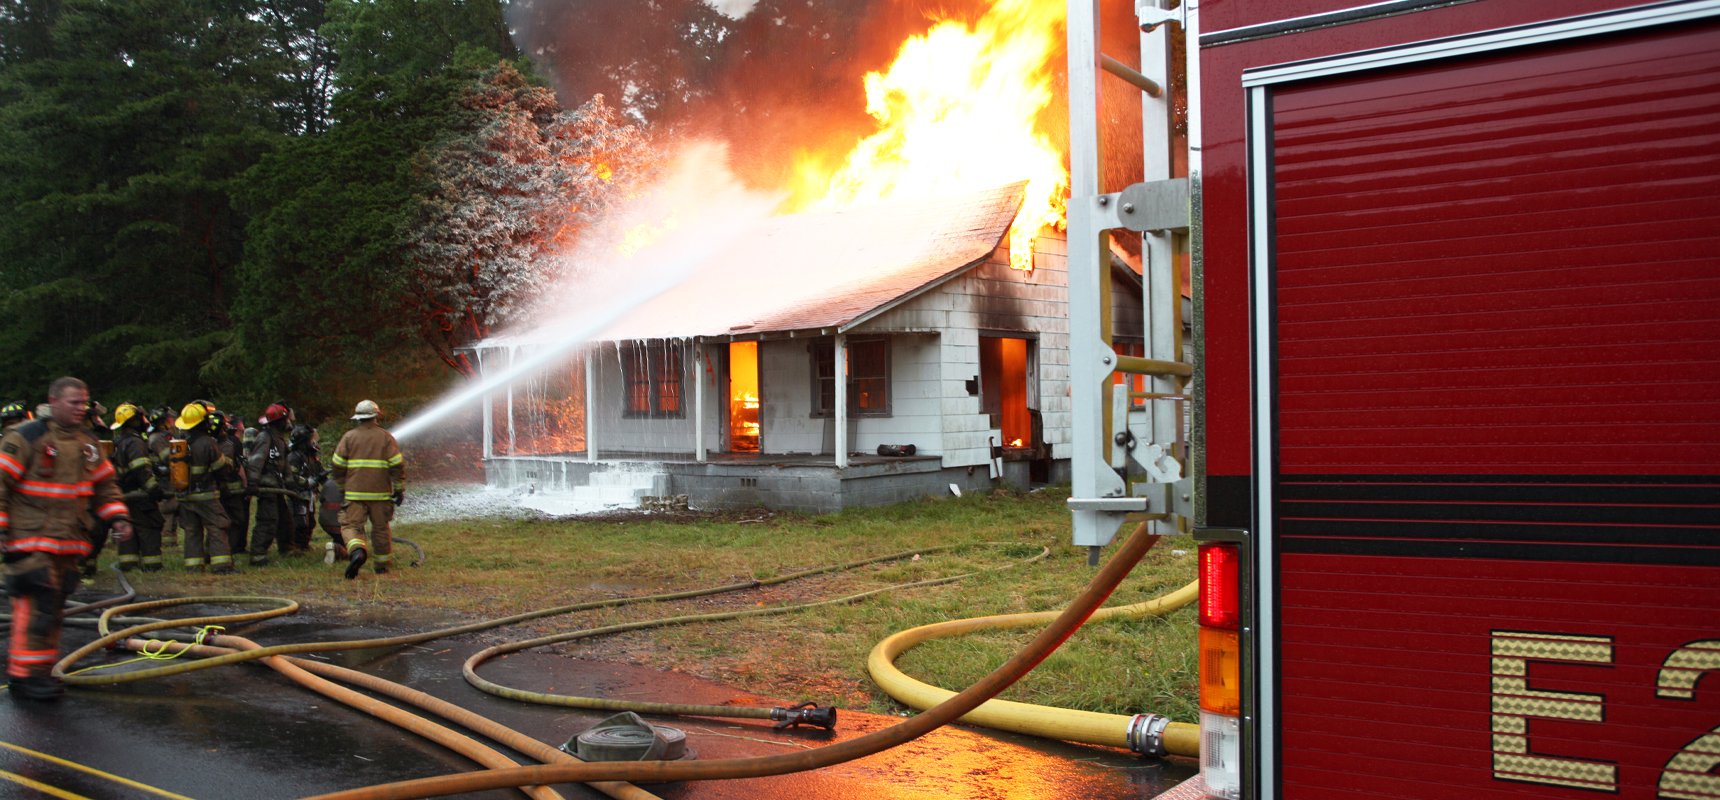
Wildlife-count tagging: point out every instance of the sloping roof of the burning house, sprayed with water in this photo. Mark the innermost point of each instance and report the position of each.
(823, 271)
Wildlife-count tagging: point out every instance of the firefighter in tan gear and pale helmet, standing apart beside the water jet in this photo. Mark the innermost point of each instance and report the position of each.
(372, 476)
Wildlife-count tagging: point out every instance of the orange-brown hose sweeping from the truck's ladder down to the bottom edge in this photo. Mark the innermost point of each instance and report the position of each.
(663, 772)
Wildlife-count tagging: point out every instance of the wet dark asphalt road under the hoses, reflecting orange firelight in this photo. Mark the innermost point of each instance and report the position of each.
(245, 732)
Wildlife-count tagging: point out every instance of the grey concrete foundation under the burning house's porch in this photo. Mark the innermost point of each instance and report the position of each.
(809, 484)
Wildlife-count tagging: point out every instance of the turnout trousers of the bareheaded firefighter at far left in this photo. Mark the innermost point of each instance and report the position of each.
(39, 582)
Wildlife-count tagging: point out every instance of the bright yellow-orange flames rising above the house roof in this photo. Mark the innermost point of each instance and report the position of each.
(957, 111)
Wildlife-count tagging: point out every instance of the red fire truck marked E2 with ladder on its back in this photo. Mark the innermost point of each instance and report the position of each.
(1454, 395)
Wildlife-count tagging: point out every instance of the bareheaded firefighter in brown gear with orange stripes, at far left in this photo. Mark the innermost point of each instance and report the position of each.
(51, 469)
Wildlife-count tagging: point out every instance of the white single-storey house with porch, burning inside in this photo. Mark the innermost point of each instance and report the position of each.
(823, 360)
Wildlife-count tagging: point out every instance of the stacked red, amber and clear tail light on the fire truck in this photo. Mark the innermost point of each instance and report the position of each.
(1220, 670)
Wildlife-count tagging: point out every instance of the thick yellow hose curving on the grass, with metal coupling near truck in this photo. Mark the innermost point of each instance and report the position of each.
(1069, 725)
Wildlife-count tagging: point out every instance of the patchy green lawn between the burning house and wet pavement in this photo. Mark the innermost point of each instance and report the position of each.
(489, 569)
